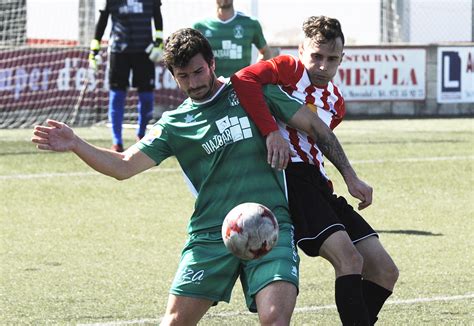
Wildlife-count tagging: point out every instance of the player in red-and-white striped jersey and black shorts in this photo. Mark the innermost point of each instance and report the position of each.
(325, 224)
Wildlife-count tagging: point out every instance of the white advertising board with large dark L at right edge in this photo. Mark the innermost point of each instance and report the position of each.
(455, 75)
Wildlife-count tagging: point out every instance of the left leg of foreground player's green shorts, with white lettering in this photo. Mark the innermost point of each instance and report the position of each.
(207, 270)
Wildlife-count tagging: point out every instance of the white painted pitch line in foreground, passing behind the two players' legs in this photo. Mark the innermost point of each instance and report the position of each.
(297, 310)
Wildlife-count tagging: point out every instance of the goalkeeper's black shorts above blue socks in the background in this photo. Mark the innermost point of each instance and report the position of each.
(143, 71)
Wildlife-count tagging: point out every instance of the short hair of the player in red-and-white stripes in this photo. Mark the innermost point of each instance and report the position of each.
(322, 29)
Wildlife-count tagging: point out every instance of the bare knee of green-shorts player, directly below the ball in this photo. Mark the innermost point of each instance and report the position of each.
(276, 302)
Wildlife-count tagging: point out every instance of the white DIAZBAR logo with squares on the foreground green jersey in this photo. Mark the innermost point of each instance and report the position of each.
(231, 130)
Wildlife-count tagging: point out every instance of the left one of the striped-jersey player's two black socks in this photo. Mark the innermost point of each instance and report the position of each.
(349, 300)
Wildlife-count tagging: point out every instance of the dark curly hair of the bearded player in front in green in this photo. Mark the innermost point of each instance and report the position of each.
(183, 45)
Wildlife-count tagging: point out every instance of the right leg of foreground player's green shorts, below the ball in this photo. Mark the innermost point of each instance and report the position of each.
(280, 264)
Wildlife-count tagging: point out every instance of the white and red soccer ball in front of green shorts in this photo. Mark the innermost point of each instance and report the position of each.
(250, 230)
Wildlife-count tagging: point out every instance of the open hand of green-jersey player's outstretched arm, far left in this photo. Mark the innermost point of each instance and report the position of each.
(57, 137)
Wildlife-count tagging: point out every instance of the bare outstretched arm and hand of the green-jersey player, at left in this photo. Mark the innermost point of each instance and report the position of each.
(59, 137)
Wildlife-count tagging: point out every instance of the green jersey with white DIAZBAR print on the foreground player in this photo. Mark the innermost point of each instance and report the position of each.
(222, 155)
